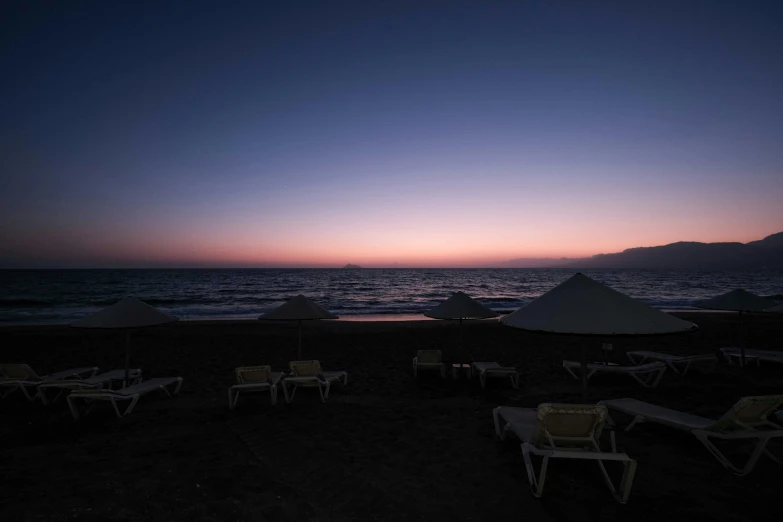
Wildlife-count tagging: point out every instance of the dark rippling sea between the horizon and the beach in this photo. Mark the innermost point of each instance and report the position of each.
(61, 296)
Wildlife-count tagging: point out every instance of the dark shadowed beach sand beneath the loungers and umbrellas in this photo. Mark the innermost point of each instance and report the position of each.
(386, 447)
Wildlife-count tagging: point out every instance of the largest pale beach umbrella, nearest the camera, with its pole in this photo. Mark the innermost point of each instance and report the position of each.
(583, 307)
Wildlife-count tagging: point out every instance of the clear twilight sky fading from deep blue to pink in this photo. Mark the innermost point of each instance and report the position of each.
(384, 133)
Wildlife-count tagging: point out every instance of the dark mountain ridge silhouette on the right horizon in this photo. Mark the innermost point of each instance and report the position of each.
(765, 253)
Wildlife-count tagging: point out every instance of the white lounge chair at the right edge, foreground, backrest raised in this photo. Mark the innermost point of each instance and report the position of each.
(741, 422)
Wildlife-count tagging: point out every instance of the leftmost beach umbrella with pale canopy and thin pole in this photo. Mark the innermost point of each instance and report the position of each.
(125, 314)
